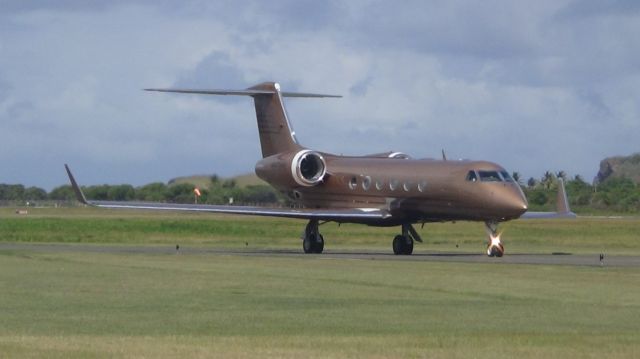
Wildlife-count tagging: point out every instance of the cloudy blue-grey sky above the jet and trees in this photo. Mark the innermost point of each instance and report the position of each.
(532, 85)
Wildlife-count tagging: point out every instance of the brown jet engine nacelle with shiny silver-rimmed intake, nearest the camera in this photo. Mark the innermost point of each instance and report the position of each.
(304, 168)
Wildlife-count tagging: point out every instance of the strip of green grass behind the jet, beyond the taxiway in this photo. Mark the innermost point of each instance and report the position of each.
(89, 225)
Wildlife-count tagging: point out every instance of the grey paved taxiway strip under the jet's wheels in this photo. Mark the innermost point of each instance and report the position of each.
(566, 259)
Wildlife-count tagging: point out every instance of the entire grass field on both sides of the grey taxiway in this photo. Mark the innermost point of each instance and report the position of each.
(76, 304)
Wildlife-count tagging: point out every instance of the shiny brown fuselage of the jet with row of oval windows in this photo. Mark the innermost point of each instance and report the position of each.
(423, 190)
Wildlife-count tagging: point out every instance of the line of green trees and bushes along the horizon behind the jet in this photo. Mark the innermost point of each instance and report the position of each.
(613, 194)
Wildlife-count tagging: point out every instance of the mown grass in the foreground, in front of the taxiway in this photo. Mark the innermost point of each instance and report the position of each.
(93, 305)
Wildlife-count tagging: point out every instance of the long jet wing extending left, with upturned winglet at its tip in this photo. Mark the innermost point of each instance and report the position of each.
(338, 215)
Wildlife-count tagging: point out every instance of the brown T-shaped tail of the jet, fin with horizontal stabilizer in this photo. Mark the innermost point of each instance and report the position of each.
(276, 133)
